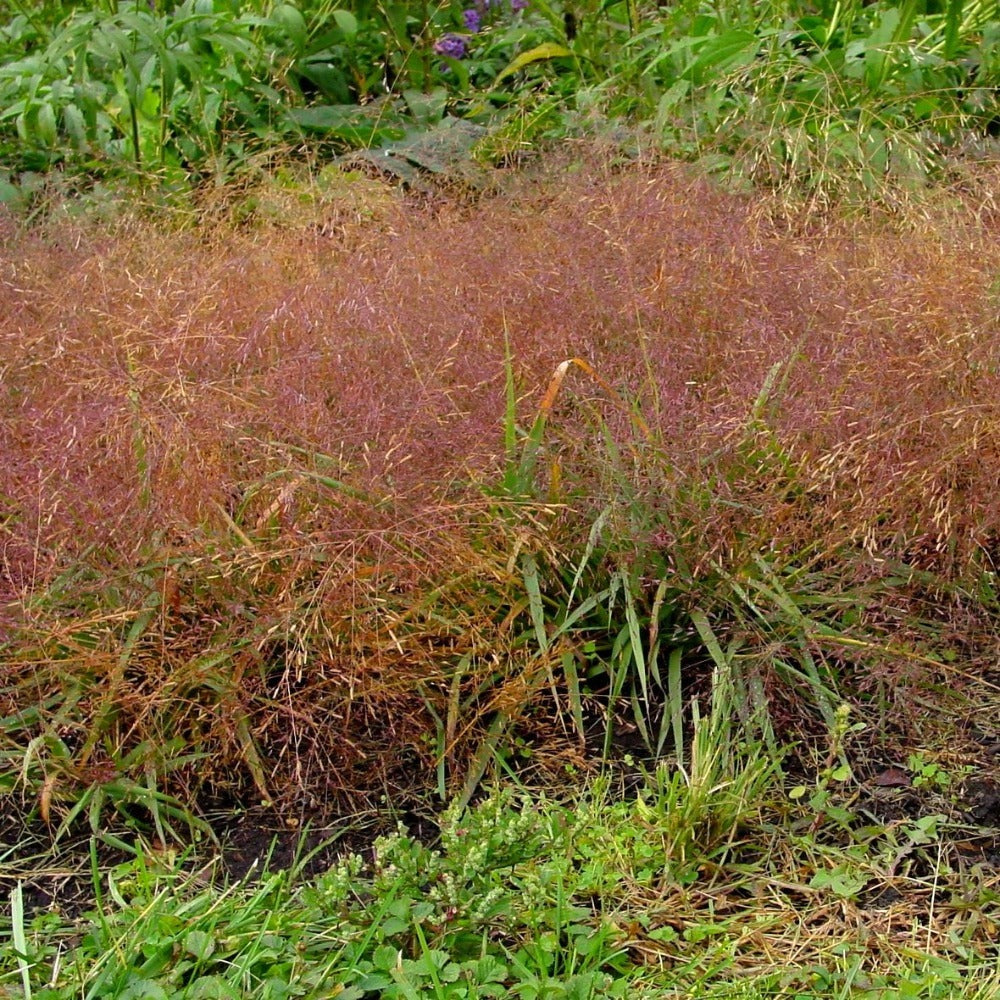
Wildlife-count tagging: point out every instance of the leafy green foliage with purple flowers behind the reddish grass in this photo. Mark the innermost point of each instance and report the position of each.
(814, 91)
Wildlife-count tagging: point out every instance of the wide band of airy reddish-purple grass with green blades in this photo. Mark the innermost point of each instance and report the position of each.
(239, 476)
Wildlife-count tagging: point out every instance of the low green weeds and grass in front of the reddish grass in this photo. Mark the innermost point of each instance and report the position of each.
(522, 896)
